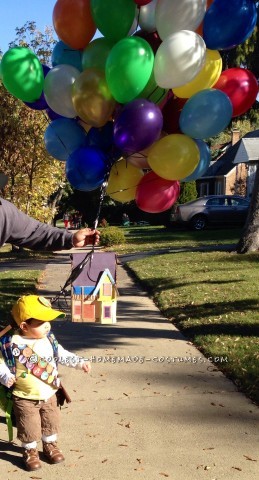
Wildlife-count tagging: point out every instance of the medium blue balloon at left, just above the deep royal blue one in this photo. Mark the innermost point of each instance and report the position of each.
(63, 136)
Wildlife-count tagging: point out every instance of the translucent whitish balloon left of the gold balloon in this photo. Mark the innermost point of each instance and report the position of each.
(58, 89)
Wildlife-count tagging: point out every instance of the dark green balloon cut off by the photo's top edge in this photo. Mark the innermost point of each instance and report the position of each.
(113, 18)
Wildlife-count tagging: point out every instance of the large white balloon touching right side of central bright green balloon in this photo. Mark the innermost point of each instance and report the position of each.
(179, 59)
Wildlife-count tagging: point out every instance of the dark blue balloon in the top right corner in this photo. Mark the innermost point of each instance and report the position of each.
(228, 23)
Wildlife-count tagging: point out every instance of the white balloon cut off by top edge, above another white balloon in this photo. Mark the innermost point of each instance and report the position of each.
(174, 15)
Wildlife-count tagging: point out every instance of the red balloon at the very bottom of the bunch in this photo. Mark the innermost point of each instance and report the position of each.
(155, 194)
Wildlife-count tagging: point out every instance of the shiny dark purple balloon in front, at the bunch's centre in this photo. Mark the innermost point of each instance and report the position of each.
(137, 126)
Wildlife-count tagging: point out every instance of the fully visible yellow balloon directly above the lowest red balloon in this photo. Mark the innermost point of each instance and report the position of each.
(174, 157)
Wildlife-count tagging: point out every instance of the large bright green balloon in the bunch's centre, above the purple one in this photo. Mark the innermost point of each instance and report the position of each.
(128, 68)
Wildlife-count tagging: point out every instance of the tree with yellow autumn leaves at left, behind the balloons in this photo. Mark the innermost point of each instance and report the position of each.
(36, 180)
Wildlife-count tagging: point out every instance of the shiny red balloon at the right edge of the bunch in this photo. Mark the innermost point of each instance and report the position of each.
(241, 87)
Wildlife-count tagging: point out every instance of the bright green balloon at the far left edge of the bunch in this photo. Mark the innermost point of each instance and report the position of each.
(22, 74)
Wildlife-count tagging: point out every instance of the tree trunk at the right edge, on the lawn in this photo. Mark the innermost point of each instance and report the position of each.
(249, 242)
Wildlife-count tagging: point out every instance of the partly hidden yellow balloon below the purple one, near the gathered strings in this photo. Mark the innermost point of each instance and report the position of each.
(123, 181)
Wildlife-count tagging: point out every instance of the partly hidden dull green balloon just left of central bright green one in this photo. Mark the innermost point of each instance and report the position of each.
(96, 53)
